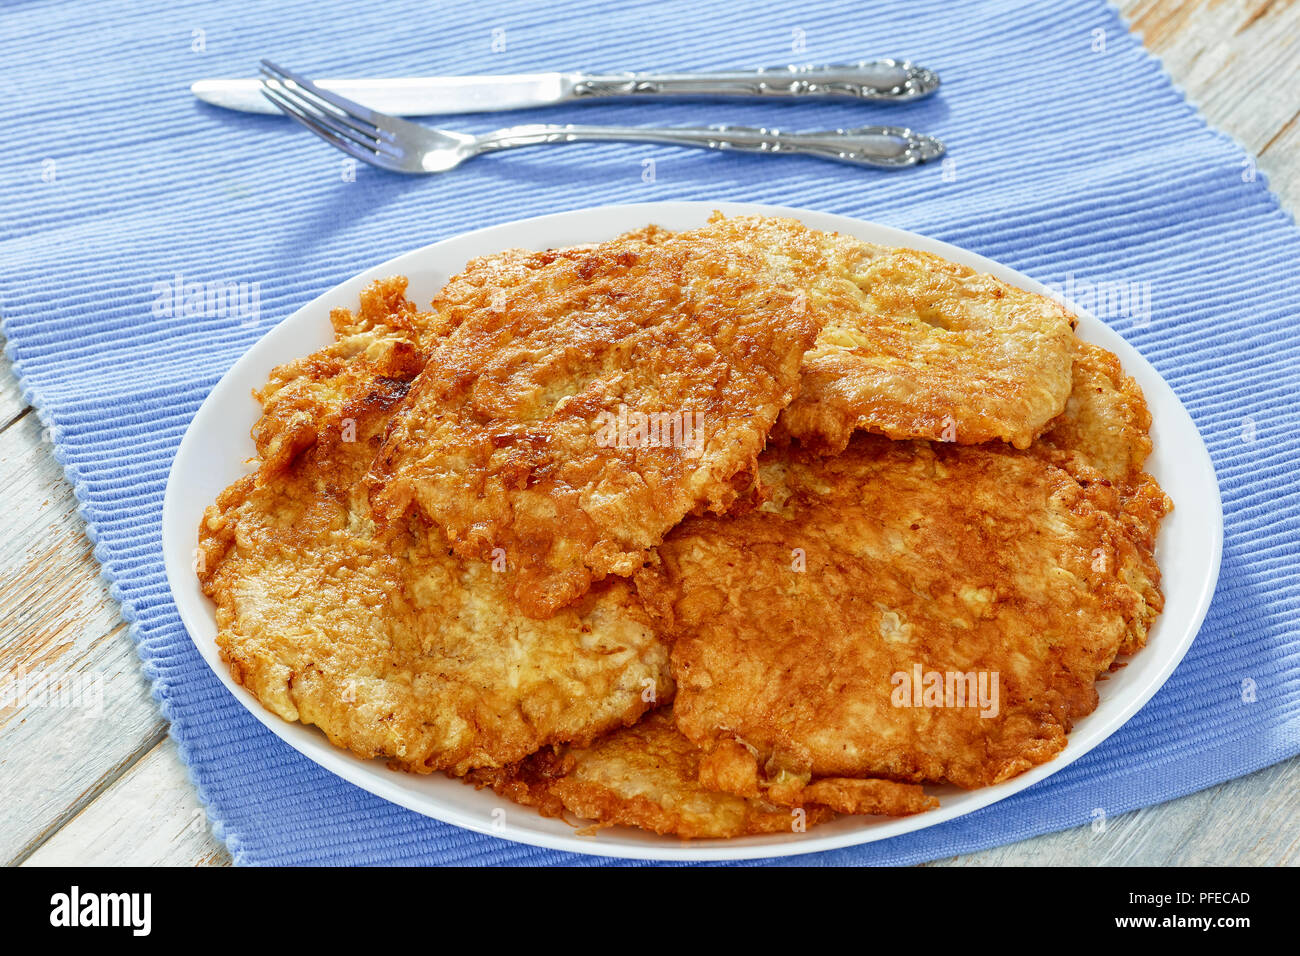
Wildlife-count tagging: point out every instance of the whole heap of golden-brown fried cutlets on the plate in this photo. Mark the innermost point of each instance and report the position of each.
(859, 625)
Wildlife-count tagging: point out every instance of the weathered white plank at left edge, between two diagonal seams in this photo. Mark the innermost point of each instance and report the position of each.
(76, 708)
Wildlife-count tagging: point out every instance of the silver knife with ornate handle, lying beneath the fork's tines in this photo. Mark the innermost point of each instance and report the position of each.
(872, 80)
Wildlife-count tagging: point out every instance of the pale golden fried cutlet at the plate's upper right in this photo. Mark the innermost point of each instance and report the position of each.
(915, 347)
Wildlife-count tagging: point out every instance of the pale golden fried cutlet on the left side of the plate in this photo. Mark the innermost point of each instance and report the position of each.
(396, 648)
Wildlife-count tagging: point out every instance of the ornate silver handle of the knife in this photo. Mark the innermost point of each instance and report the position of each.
(870, 80)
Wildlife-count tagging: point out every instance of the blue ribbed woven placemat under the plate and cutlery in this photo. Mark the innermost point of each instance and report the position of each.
(1089, 166)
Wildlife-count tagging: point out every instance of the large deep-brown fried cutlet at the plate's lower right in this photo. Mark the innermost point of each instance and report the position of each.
(809, 629)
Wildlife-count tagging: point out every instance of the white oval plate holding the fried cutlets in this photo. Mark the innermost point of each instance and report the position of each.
(218, 444)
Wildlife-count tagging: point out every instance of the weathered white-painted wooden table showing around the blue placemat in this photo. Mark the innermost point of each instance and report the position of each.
(120, 795)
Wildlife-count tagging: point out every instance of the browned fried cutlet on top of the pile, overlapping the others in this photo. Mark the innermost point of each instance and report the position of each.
(580, 410)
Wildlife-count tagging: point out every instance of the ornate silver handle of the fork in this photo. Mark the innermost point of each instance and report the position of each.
(890, 148)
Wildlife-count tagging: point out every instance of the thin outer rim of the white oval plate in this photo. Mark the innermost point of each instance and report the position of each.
(668, 849)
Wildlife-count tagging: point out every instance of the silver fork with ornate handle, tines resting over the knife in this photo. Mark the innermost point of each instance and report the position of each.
(406, 148)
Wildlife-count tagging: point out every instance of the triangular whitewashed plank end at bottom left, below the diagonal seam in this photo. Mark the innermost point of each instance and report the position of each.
(149, 817)
